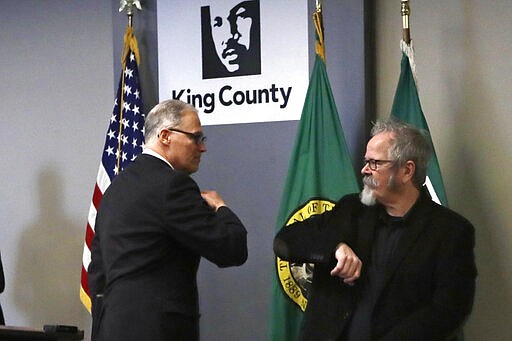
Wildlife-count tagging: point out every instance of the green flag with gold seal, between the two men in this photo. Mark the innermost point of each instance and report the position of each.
(320, 172)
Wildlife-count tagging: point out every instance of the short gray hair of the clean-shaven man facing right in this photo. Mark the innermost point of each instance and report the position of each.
(166, 114)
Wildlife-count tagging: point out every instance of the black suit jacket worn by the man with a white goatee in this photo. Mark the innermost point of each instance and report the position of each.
(429, 285)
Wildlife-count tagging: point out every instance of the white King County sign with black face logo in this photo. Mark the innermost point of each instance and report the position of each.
(235, 61)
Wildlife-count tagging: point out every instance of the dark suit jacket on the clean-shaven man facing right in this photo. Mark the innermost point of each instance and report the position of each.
(152, 228)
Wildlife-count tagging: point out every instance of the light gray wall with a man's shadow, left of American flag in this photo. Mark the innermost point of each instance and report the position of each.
(56, 88)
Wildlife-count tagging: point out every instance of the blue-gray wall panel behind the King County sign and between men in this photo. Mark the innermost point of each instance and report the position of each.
(247, 165)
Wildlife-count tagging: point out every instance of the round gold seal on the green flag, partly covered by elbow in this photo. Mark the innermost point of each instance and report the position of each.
(295, 278)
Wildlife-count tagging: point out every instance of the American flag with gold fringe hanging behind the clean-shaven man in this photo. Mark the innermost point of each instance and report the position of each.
(124, 140)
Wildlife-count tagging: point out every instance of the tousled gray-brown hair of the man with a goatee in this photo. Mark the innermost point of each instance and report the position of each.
(408, 143)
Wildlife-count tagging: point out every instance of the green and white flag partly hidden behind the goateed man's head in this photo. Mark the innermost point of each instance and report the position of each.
(407, 107)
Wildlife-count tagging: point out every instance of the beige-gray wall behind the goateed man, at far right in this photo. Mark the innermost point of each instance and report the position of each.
(464, 62)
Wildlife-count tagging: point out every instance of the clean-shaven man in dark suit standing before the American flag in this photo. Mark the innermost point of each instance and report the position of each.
(152, 227)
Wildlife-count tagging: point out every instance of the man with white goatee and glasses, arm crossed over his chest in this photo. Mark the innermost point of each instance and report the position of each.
(390, 264)
